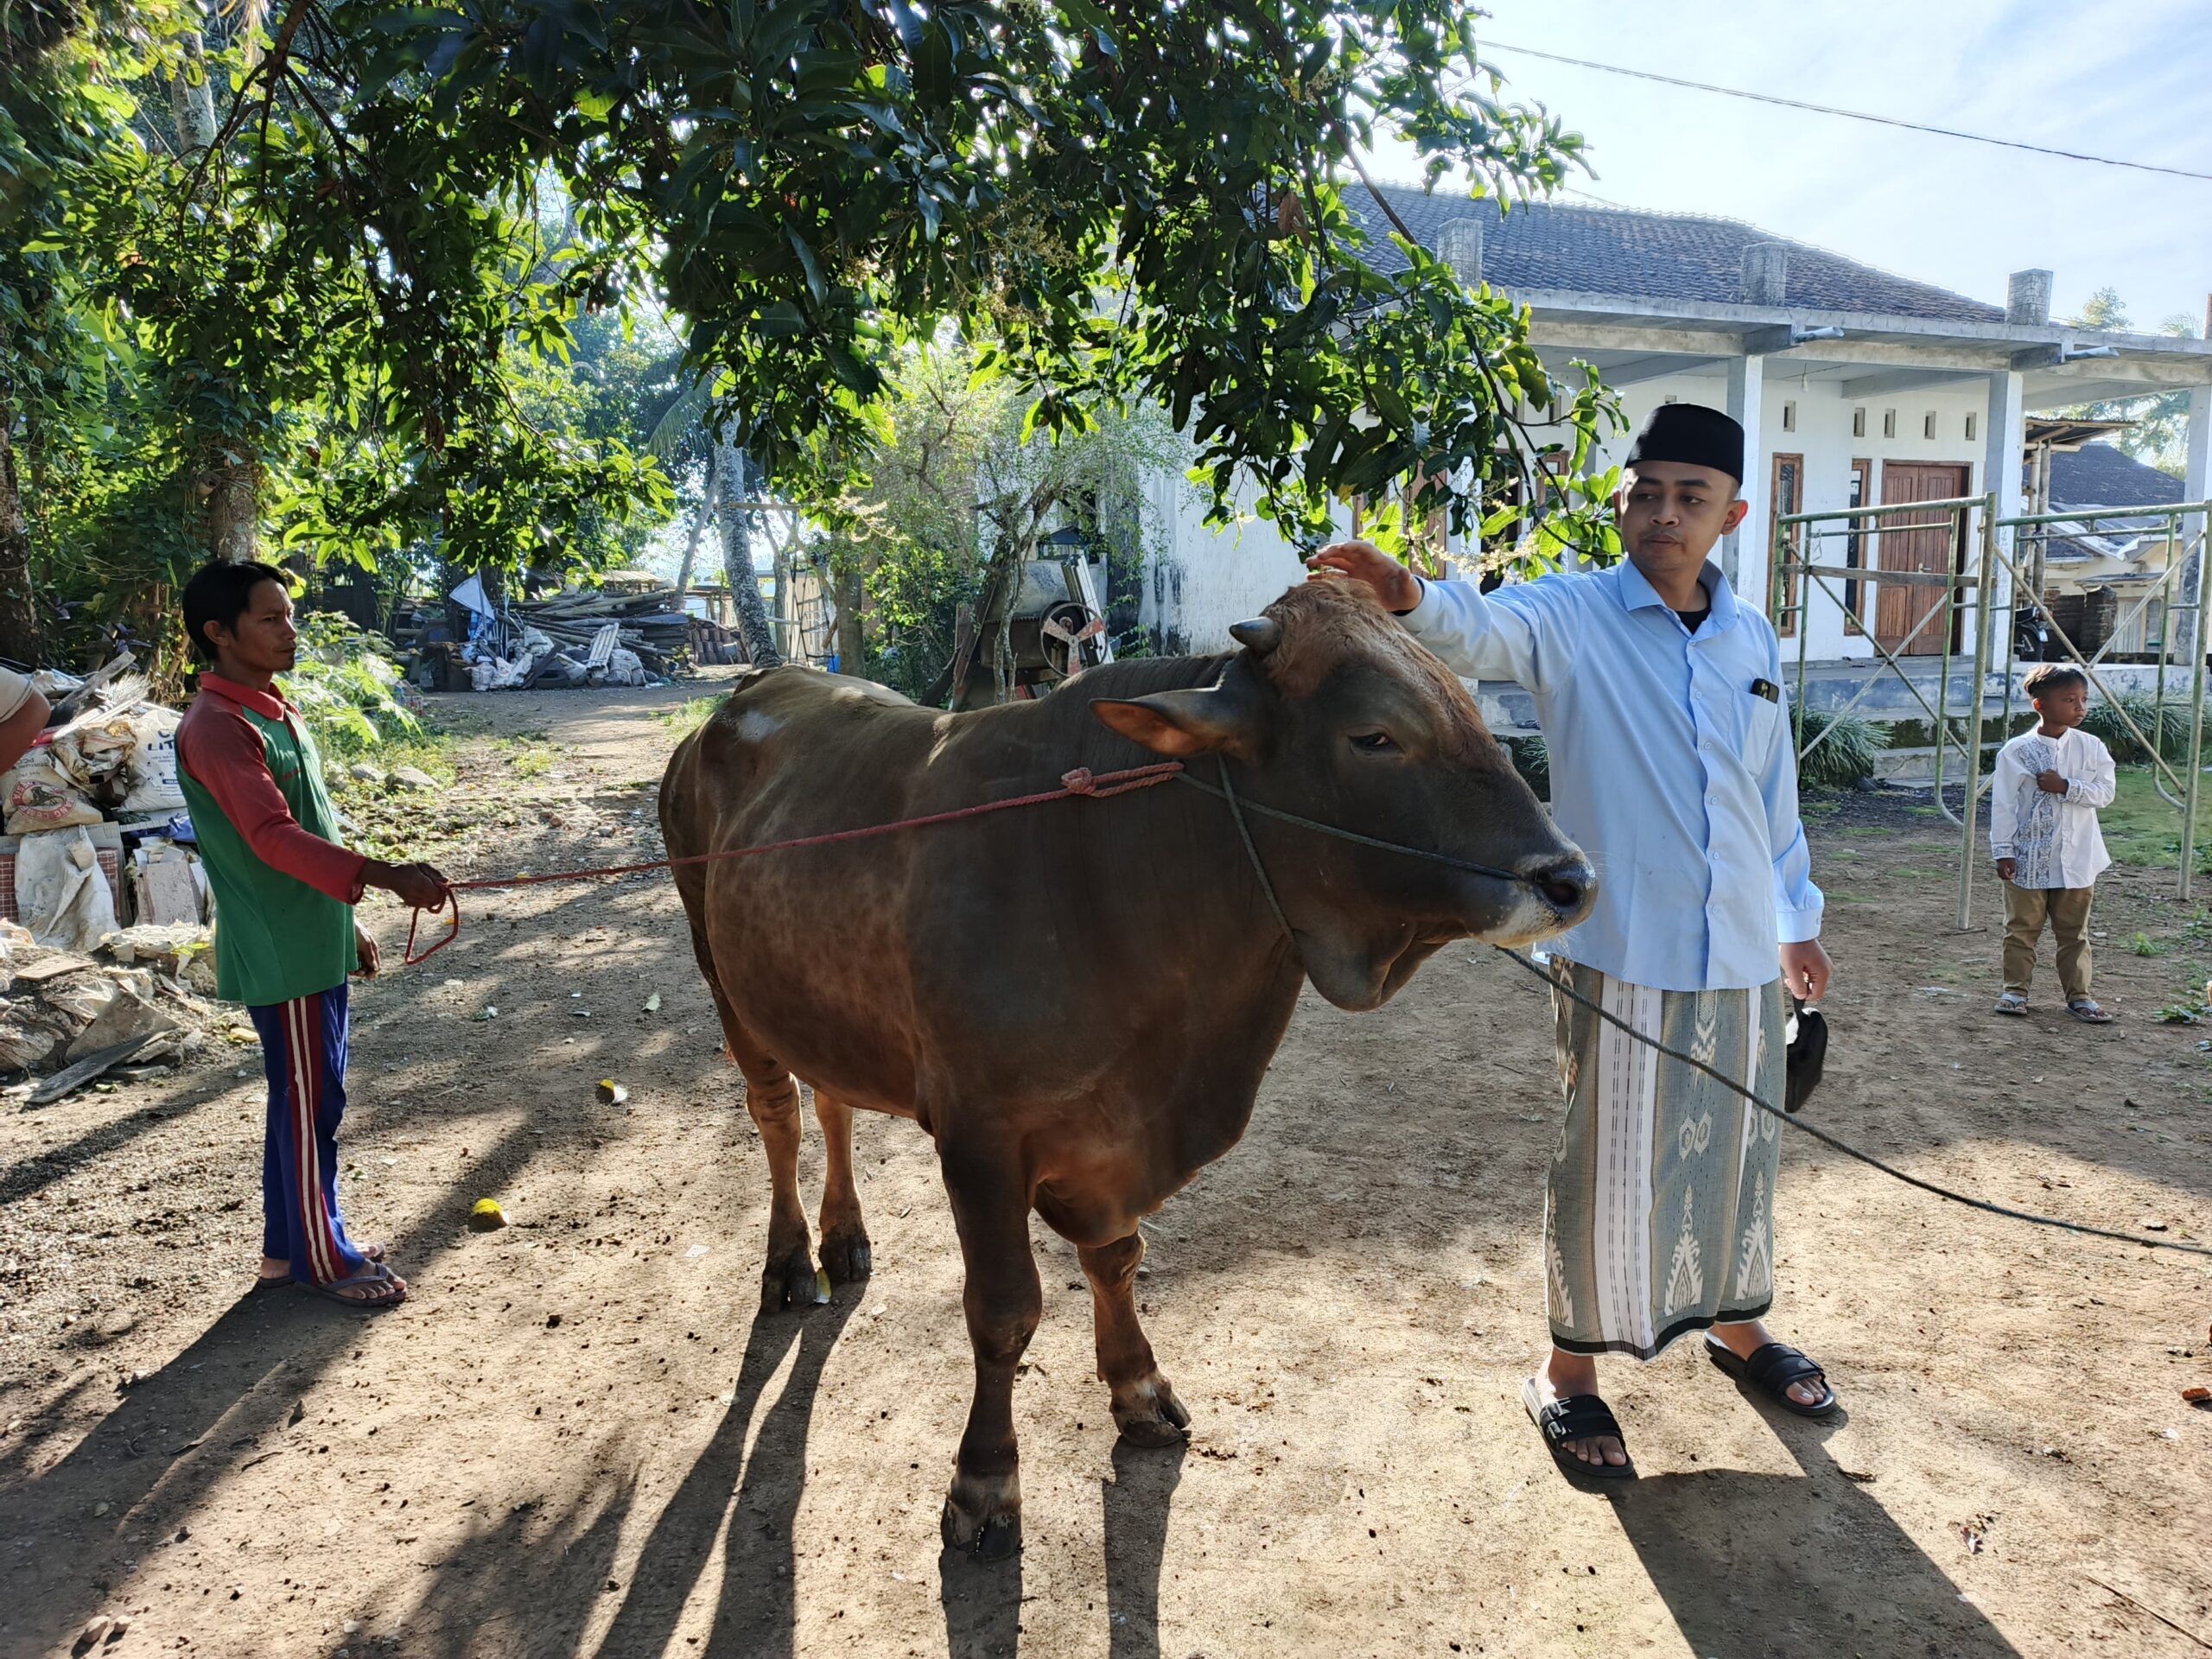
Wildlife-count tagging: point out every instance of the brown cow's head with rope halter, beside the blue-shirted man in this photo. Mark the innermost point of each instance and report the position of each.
(1335, 713)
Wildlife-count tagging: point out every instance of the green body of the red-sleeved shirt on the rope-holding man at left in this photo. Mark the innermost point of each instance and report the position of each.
(275, 937)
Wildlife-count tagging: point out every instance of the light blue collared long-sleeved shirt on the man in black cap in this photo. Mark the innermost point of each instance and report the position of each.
(1673, 775)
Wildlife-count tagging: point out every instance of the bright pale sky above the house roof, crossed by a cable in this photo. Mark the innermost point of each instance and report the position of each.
(2122, 79)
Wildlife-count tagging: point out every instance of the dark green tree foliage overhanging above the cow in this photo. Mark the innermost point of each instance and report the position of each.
(1131, 202)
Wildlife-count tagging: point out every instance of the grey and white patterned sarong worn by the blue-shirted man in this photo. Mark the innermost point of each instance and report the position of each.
(1660, 1211)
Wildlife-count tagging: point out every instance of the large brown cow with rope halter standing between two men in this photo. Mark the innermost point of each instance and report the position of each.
(1078, 1001)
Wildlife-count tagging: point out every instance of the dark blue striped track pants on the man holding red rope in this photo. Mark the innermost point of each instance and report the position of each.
(304, 1052)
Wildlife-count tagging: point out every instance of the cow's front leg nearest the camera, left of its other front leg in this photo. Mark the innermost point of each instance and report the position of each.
(983, 1512)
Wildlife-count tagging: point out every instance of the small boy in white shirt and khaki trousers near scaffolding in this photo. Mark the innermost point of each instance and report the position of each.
(2043, 833)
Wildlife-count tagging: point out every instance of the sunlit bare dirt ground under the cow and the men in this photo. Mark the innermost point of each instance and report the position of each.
(578, 1439)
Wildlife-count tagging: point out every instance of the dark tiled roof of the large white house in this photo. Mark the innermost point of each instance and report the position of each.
(1651, 255)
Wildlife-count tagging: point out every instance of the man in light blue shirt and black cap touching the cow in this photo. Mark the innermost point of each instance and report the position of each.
(1673, 766)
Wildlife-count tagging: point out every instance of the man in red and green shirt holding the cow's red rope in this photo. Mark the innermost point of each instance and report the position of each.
(284, 917)
